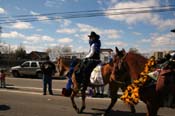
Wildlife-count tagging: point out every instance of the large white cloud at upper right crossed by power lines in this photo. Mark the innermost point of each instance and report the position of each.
(149, 17)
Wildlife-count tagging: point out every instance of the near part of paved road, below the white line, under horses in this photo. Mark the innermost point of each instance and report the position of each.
(14, 103)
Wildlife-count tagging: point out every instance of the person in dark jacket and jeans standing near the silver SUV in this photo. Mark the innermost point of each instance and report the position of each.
(48, 68)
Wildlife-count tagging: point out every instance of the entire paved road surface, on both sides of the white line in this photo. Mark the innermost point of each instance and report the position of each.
(23, 97)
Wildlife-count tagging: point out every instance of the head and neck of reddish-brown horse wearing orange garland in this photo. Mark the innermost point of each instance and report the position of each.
(127, 65)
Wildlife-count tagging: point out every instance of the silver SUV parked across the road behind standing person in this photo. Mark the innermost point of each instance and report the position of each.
(27, 68)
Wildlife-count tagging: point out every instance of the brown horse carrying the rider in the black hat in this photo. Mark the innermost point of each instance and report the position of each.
(63, 66)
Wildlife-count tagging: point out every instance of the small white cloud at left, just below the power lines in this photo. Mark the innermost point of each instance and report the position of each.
(21, 25)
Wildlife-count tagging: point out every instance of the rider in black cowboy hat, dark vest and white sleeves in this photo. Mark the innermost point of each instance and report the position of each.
(91, 60)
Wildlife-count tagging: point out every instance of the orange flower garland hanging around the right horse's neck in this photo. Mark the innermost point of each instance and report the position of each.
(131, 94)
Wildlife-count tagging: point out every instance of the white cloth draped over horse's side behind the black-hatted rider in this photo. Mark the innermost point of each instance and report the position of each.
(96, 76)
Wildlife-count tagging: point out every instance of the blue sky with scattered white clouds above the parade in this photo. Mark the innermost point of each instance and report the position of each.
(145, 31)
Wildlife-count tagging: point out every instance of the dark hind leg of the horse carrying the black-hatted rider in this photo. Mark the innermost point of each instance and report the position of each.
(113, 94)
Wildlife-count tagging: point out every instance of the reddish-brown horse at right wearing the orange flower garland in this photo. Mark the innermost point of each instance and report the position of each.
(128, 66)
